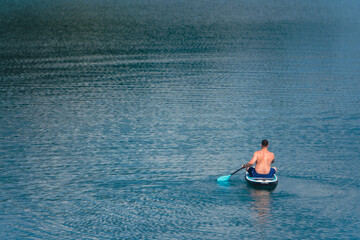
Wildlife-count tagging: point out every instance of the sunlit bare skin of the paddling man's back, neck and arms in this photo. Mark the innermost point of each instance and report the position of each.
(263, 160)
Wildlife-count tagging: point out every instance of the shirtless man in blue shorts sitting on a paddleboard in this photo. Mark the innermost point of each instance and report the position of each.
(263, 160)
